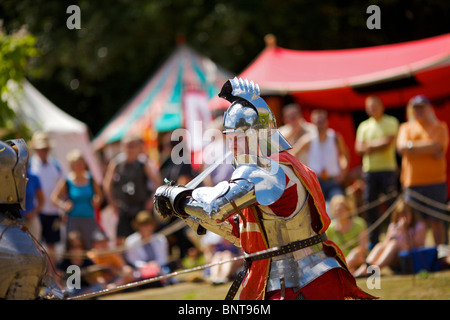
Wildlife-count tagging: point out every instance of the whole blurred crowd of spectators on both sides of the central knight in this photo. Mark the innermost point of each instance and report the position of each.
(65, 208)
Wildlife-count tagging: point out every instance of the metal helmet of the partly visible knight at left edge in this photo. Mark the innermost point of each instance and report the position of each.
(13, 172)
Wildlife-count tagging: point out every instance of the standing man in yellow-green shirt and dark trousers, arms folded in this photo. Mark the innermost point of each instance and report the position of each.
(375, 142)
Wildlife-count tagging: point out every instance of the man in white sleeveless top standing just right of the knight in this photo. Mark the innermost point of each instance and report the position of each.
(327, 154)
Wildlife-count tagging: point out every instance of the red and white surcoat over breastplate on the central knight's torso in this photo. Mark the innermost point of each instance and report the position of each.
(275, 225)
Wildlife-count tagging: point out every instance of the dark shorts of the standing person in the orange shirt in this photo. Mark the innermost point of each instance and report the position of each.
(435, 192)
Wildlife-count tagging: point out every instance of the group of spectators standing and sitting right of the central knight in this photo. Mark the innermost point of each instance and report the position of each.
(417, 180)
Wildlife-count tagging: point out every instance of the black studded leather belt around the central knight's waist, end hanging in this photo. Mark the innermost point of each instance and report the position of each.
(290, 247)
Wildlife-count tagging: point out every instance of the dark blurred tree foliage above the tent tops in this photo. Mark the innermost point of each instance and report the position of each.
(93, 71)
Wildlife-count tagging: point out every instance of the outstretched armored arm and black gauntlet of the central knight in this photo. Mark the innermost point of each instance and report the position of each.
(210, 207)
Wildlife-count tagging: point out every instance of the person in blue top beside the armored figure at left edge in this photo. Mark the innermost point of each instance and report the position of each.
(34, 201)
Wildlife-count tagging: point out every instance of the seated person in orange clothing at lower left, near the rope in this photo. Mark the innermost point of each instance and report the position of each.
(117, 271)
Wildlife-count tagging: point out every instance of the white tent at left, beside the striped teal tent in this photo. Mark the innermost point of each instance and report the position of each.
(65, 132)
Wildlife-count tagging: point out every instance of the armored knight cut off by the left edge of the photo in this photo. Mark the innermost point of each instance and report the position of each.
(23, 265)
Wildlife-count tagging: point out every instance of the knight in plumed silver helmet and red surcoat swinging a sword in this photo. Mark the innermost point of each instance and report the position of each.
(272, 201)
